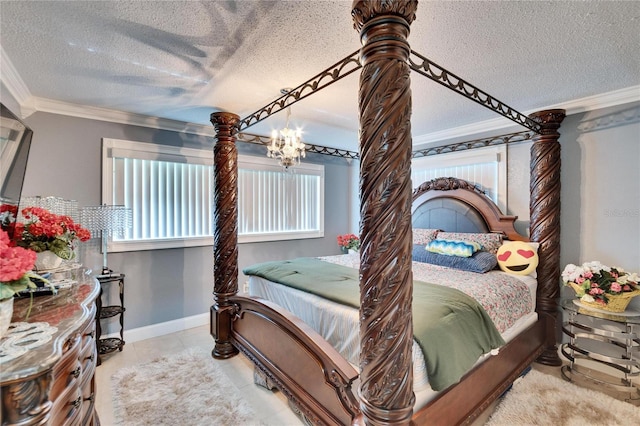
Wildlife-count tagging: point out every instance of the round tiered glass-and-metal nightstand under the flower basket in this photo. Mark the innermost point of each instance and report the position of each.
(606, 338)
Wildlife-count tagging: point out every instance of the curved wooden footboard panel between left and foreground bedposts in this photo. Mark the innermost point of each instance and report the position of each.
(315, 378)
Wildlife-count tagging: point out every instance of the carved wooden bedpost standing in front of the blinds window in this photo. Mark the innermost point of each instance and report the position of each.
(225, 243)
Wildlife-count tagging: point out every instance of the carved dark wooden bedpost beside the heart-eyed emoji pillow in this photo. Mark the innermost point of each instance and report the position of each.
(544, 207)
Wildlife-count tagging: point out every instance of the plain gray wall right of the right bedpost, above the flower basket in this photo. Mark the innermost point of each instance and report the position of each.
(601, 187)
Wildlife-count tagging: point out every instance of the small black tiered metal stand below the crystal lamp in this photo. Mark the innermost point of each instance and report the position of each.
(111, 344)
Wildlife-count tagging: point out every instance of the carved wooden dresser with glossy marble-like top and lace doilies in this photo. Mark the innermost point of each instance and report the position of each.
(53, 383)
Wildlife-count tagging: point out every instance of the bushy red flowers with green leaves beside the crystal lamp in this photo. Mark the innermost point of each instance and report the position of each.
(44, 230)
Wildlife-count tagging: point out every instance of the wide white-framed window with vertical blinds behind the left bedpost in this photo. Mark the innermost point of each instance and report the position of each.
(170, 191)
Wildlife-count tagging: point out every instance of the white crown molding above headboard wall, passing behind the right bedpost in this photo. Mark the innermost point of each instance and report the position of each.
(589, 103)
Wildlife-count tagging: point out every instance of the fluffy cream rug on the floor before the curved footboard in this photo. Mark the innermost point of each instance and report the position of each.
(188, 388)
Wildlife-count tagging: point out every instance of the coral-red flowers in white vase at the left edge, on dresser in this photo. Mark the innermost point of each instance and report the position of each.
(16, 264)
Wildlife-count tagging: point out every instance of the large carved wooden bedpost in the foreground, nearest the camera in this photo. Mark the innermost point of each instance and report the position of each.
(386, 280)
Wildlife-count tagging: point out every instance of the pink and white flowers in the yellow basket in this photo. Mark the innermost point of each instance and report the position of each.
(594, 282)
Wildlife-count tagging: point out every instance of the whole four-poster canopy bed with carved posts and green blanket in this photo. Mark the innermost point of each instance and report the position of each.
(319, 377)
